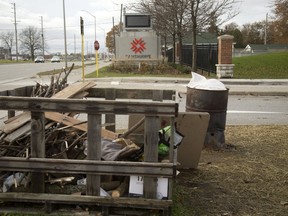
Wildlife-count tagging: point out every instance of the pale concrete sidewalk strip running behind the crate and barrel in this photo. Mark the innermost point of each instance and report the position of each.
(269, 87)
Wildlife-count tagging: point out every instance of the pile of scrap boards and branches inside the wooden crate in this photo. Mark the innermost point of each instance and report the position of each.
(65, 138)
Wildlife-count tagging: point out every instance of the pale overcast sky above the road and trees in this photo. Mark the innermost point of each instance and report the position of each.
(29, 13)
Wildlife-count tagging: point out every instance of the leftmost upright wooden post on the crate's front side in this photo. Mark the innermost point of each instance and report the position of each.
(37, 149)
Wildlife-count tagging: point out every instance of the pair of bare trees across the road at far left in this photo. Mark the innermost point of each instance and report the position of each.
(30, 39)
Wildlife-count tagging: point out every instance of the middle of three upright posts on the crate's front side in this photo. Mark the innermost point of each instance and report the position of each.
(94, 151)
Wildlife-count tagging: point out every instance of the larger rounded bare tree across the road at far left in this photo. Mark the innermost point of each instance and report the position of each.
(31, 40)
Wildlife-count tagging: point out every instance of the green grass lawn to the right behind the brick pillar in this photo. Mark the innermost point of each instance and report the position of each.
(266, 66)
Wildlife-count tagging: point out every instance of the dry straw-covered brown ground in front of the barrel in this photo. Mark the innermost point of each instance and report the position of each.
(249, 177)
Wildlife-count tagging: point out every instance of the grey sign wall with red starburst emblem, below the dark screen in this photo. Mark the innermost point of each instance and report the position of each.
(138, 46)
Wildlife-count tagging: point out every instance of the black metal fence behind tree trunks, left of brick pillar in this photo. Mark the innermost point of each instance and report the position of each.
(207, 56)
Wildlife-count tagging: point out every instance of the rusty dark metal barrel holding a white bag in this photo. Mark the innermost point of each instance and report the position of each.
(215, 103)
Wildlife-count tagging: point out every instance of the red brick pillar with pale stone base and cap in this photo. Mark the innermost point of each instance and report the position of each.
(224, 68)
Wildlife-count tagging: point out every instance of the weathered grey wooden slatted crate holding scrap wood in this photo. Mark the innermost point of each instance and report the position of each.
(93, 167)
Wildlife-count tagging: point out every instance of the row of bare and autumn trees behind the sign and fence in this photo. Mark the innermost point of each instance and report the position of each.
(175, 19)
